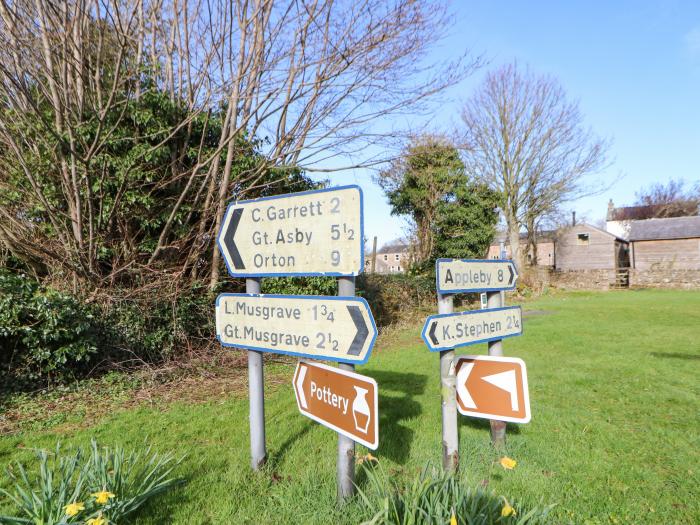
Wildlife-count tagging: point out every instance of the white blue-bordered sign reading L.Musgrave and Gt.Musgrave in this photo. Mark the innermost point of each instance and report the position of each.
(332, 328)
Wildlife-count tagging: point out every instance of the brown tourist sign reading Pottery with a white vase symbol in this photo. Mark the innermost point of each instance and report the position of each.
(340, 400)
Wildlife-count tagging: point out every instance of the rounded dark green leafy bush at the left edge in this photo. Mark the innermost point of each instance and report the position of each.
(44, 333)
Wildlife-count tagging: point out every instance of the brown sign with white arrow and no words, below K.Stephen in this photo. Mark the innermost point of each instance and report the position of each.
(493, 388)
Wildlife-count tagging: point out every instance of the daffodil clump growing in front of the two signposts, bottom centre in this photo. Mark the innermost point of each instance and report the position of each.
(436, 498)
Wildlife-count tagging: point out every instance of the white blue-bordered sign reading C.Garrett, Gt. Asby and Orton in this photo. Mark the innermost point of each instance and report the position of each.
(309, 233)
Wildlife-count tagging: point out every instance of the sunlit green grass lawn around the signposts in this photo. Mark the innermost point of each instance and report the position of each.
(614, 383)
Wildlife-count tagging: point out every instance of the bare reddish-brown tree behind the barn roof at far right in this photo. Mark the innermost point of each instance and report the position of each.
(671, 199)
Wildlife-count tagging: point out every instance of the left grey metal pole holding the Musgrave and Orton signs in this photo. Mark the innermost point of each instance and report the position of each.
(256, 395)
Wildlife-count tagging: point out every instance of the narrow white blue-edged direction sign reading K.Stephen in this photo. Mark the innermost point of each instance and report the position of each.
(446, 331)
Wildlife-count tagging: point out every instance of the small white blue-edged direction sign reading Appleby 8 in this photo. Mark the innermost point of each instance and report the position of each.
(474, 275)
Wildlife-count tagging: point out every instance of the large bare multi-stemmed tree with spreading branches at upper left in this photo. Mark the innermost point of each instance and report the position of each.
(306, 81)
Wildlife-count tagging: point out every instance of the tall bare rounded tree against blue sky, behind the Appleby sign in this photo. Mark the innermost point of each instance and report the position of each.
(527, 141)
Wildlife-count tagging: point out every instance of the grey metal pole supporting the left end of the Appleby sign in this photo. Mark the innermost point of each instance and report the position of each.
(448, 383)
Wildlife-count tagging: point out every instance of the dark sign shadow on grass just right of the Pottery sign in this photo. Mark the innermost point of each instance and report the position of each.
(395, 438)
